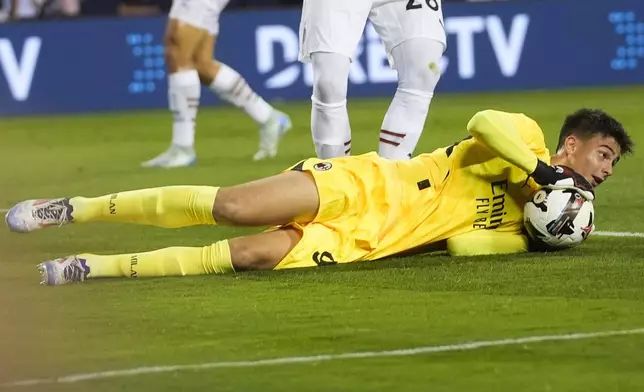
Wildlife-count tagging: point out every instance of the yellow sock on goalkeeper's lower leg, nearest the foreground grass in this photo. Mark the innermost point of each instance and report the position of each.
(174, 261)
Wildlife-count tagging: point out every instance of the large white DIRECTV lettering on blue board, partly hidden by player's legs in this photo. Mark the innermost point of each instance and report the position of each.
(277, 50)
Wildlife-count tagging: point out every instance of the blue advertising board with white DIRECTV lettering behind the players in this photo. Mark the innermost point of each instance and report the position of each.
(118, 64)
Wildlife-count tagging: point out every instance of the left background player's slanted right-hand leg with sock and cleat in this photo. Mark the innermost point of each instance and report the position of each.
(232, 87)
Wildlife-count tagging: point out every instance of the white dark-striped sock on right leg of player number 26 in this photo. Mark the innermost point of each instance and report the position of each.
(403, 124)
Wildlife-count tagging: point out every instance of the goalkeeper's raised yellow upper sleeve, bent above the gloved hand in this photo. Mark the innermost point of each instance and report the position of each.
(513, 137)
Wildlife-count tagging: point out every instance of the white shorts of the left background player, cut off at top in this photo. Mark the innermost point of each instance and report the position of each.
(203, 14)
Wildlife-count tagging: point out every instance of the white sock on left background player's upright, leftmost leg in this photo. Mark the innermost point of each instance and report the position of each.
(184, 91)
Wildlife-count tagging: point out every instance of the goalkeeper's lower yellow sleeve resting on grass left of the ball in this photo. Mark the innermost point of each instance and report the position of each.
(487, 242)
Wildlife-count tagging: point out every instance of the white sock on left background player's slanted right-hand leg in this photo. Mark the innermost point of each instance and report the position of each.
(232, 87)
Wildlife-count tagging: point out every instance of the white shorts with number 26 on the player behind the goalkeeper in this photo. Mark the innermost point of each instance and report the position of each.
(335, 26)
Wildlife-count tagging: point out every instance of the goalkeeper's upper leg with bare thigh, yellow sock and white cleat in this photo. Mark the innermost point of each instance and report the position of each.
(287, 197)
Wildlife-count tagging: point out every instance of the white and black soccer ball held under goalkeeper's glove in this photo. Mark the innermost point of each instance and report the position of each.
(558, 218)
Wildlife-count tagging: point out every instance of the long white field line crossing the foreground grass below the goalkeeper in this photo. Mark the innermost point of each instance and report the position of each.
(319, 358)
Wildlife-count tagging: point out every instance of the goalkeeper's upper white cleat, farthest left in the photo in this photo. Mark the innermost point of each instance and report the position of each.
(32, 215)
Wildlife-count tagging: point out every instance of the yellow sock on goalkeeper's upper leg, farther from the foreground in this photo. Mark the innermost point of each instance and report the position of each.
(169, 207)
